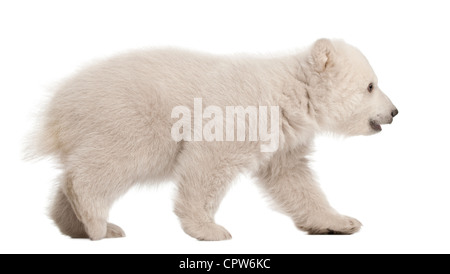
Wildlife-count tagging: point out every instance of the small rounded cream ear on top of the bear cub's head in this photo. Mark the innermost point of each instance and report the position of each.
(323, 54)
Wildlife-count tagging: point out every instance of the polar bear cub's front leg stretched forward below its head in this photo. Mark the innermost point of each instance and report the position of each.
(289, 181)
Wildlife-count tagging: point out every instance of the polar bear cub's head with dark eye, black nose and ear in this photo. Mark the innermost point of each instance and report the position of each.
(345, 91)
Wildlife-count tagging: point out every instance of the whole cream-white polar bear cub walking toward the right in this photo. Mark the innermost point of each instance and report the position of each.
(112, 126)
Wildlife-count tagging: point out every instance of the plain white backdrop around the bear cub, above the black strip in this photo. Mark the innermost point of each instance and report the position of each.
(396, 183)
